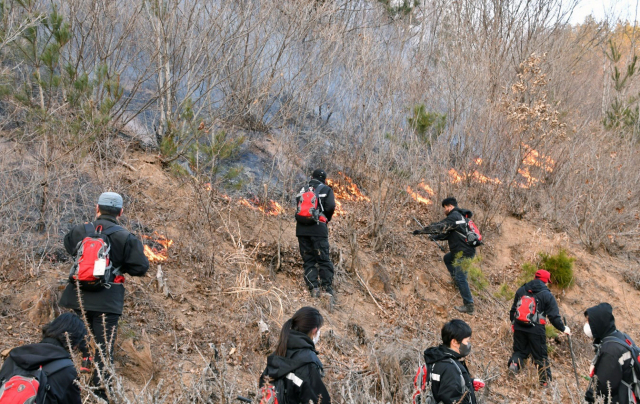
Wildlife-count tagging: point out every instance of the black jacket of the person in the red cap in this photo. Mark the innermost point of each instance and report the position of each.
(547, 307)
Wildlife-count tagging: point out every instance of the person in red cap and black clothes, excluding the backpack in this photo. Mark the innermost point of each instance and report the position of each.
(530, 338)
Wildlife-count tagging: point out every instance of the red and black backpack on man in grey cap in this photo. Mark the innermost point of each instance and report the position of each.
(92, 267)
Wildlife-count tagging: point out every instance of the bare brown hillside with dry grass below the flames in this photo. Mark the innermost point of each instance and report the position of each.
(203, 334)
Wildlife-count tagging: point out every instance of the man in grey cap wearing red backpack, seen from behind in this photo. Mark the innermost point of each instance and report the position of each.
(103, 252)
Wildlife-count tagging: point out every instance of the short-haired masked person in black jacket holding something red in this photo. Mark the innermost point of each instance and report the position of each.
(449, 376)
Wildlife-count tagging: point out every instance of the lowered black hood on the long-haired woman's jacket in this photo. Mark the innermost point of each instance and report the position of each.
(279, 366)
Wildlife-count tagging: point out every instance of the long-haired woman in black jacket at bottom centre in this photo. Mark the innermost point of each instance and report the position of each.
(295, 365)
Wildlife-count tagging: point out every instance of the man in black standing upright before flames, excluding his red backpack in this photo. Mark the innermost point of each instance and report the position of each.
(313, 239)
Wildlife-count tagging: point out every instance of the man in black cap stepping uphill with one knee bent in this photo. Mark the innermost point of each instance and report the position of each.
(452, 229)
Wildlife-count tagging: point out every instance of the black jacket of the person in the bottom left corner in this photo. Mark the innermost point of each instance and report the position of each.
(30, 357)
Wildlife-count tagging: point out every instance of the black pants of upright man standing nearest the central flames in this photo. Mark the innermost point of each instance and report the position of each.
(316, 261)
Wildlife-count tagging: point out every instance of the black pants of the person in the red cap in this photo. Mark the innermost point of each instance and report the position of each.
(534, 344)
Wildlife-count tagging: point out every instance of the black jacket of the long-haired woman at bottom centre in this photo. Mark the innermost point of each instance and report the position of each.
(302, 363)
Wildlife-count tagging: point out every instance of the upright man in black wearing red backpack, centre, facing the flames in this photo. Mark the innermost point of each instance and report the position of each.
(315, 206)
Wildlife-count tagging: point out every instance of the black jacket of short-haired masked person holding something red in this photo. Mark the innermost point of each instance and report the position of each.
(446, 385)
